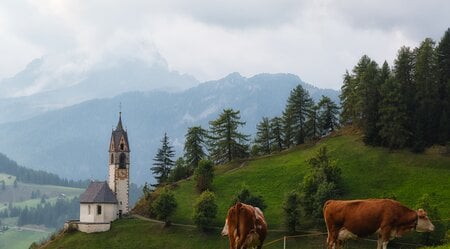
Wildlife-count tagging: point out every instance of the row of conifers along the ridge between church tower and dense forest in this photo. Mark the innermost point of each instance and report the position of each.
(301, 121)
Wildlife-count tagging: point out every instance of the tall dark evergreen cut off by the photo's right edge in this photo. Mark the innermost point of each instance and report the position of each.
(443, 77)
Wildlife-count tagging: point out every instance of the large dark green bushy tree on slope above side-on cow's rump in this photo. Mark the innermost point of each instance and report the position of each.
(323, 182)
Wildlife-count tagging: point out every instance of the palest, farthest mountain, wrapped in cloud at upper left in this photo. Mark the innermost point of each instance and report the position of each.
(36, 89)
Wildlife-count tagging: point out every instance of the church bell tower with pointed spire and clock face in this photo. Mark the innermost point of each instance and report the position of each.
(119, 166)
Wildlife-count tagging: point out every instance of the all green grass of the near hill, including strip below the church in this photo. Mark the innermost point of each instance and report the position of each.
(367, 173)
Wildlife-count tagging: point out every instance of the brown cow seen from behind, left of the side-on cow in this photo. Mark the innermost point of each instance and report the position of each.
(245, 226)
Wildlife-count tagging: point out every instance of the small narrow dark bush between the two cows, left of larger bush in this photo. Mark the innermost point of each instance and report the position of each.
(292, 211)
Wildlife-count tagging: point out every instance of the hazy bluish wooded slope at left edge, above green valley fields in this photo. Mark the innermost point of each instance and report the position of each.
(26, 175)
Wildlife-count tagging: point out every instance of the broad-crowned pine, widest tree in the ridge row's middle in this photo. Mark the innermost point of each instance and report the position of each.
(226, 142)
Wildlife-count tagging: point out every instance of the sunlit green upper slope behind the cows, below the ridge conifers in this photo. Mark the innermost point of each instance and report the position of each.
(367, 172)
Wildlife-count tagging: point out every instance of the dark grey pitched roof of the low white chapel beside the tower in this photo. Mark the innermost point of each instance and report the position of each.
(98, 192)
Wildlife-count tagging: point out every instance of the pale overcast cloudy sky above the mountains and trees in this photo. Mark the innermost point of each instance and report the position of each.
(317, 40)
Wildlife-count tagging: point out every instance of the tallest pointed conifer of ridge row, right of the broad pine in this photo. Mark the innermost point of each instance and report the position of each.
(298, 107)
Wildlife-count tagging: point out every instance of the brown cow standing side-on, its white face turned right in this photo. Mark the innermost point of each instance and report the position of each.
(361, 218)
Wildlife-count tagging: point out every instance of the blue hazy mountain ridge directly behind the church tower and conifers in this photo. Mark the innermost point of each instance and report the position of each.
(73, 141)
